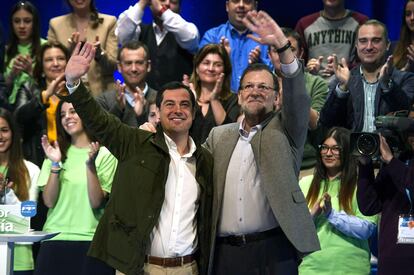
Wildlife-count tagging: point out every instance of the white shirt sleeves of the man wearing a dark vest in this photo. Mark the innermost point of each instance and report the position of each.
(185, 33)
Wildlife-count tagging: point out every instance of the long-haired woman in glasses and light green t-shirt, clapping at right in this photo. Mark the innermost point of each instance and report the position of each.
(331, 195)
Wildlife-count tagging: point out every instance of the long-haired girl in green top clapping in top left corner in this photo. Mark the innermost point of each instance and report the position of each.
(23, 46)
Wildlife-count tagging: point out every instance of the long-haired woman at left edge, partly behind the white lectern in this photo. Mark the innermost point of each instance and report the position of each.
(22, 177)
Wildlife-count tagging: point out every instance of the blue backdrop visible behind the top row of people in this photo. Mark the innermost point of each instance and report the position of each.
(209, 13)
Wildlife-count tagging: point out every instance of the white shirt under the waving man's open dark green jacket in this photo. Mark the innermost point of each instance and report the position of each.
(176, 231)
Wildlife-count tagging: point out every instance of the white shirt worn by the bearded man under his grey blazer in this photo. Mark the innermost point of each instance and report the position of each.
(245, 207)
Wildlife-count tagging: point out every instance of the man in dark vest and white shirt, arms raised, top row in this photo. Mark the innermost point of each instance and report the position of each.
(170, 39)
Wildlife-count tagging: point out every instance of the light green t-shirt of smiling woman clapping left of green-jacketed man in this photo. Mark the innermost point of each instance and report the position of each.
(72, 215)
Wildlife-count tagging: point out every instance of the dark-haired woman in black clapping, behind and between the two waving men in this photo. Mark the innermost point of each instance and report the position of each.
(210, 81)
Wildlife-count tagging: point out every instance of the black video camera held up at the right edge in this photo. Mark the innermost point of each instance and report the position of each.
(394, 128)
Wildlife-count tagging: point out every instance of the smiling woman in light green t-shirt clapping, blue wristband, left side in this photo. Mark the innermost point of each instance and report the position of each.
(76, 179)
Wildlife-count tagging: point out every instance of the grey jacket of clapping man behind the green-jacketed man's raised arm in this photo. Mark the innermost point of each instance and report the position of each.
(108, 101)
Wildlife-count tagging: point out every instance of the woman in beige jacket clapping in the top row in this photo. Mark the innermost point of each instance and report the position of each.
(85, 23)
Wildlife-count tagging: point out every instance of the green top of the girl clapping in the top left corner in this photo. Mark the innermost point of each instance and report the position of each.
(22, 77)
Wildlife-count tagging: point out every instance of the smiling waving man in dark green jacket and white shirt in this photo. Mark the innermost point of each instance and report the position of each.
(158, 216)
